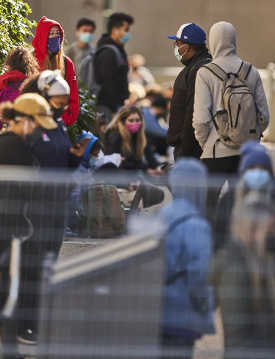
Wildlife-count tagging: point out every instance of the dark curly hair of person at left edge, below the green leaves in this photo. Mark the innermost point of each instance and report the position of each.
(21, 59)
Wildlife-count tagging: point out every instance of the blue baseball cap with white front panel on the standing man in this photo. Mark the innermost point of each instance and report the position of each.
(190, 34)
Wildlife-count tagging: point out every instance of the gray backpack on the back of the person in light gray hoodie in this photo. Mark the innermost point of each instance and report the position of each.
(237, 119)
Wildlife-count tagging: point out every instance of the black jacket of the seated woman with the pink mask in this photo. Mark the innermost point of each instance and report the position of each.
(113, 144)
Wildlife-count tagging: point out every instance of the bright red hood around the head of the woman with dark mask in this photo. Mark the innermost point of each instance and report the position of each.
(40, 40)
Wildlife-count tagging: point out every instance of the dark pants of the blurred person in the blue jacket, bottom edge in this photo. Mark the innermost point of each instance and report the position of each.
(176, 347)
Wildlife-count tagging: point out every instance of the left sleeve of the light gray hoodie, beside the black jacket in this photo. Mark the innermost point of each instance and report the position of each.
(202, 116)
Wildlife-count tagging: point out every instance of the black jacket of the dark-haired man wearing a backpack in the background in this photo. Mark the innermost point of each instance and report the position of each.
(111, 75)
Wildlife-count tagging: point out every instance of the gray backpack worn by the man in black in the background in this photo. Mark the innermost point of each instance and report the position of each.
(86, 68)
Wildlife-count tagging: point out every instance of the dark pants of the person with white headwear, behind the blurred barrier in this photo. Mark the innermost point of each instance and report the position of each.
(47, 214)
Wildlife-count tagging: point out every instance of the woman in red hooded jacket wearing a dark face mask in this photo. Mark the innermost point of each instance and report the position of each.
(48, 50)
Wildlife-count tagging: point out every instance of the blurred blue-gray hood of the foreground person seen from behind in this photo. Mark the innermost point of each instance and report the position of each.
(188, 180)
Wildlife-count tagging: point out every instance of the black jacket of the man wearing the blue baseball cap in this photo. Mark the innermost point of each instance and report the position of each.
(181, 132)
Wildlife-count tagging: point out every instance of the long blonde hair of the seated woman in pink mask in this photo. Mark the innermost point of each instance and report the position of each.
(118, 124)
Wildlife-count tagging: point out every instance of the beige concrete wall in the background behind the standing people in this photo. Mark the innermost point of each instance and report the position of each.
(155, 19)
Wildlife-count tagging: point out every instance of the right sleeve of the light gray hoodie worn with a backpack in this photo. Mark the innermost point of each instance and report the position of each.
(261, 102)
